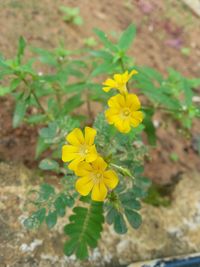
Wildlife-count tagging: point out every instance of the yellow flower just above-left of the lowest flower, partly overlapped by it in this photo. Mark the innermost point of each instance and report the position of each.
(81, 147)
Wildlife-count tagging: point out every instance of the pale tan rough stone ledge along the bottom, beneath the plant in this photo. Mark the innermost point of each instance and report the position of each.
(165, 232)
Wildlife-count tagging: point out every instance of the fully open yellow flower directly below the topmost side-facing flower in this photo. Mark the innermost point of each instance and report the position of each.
(123, 112)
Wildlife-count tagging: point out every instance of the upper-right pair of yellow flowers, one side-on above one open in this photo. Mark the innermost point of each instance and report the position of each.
(123, 110)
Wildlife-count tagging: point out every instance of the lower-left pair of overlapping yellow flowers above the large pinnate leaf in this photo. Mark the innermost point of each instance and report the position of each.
(88, 165)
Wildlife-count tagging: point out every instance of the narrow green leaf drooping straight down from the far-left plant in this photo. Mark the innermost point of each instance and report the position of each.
(19, 113)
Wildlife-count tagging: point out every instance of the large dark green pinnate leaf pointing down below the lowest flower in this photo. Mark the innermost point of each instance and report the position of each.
(84, 229)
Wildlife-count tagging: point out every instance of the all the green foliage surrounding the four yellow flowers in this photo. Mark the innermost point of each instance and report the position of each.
(51, 101)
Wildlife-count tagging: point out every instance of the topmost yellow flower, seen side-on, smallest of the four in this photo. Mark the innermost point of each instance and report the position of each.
(119, 82)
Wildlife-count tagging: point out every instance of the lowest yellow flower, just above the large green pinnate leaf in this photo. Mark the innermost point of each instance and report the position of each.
(94, 177)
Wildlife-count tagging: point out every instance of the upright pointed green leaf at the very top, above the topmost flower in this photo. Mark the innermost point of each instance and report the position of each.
(127, 38)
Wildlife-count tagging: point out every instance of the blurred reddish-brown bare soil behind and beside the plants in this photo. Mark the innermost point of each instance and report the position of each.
(164, 28)
